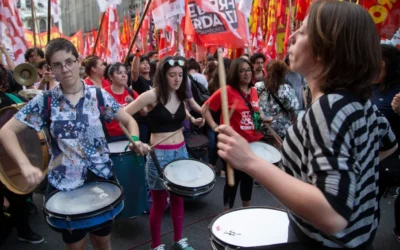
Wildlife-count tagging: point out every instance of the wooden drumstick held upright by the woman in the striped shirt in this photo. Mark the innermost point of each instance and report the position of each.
(225, 113)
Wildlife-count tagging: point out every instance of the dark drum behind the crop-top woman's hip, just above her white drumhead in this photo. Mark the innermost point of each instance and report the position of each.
(197, 146)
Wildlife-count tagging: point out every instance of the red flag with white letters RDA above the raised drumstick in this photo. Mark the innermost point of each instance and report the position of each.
(211, 23)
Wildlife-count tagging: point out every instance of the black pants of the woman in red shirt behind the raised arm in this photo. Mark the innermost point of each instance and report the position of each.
(246, 188)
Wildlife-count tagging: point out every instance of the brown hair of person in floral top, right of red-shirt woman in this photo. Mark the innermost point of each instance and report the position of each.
(276, 71)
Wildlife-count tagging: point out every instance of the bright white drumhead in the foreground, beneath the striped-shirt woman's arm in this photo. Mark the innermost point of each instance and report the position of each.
(251, 227)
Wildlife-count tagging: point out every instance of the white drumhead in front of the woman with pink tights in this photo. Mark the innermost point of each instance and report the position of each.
(189, 173)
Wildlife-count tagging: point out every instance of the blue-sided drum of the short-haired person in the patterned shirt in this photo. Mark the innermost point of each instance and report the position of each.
(89, 207)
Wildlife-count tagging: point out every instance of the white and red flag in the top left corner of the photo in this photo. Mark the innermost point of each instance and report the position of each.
(12, 31)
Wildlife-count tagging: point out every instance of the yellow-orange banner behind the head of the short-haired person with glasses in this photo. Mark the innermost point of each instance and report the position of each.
(41, 38)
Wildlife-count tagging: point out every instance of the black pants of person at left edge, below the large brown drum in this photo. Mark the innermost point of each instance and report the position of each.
(19, 213)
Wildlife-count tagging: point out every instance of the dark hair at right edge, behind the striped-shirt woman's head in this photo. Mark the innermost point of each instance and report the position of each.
(391, 57)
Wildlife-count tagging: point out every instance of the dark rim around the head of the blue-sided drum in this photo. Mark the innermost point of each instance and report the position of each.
(88, 214)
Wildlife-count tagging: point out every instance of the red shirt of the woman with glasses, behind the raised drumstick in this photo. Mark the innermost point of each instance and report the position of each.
(241, 120)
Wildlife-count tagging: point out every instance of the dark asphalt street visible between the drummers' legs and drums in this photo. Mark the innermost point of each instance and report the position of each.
(135, 233)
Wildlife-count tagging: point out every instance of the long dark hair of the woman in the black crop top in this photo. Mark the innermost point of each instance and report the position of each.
(161, 84)
